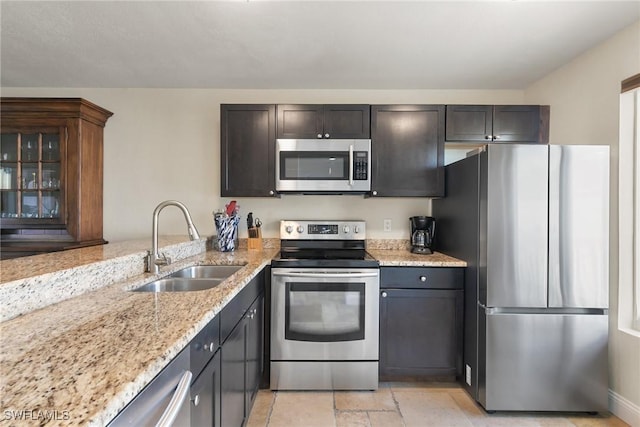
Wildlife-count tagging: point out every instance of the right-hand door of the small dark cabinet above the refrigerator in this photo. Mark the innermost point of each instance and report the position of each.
(516, 123)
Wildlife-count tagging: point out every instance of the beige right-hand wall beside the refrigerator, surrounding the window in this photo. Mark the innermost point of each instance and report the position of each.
(584, 96)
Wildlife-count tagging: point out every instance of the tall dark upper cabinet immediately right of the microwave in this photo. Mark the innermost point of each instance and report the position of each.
(407, 144)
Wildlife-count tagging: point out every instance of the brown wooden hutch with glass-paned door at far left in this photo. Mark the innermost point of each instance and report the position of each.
(52, 175)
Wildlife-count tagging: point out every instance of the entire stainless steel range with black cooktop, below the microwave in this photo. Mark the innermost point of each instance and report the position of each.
(324, 308)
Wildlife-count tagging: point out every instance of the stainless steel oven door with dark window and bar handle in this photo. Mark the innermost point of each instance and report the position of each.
(324, 314)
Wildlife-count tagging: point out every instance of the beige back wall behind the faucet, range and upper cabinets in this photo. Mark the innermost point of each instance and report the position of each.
(164, 144)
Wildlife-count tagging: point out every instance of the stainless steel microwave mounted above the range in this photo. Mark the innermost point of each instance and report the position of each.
(323, 165)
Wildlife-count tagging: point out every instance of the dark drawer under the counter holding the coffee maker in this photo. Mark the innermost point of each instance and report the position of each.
(421, 277)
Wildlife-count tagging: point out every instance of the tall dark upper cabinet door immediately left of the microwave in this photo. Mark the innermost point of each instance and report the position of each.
(247, 150)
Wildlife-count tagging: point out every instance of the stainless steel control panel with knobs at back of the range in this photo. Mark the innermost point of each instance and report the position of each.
(322, 230)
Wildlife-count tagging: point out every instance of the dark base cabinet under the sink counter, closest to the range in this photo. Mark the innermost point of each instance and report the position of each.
(242, 361)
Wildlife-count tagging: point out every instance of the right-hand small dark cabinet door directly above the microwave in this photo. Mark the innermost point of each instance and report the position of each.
(347, 121)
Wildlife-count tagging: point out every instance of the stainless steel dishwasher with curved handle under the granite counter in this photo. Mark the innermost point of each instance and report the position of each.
(165, 401)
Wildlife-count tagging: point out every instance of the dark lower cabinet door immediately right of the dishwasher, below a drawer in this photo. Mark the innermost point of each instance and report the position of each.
(205, 395)
